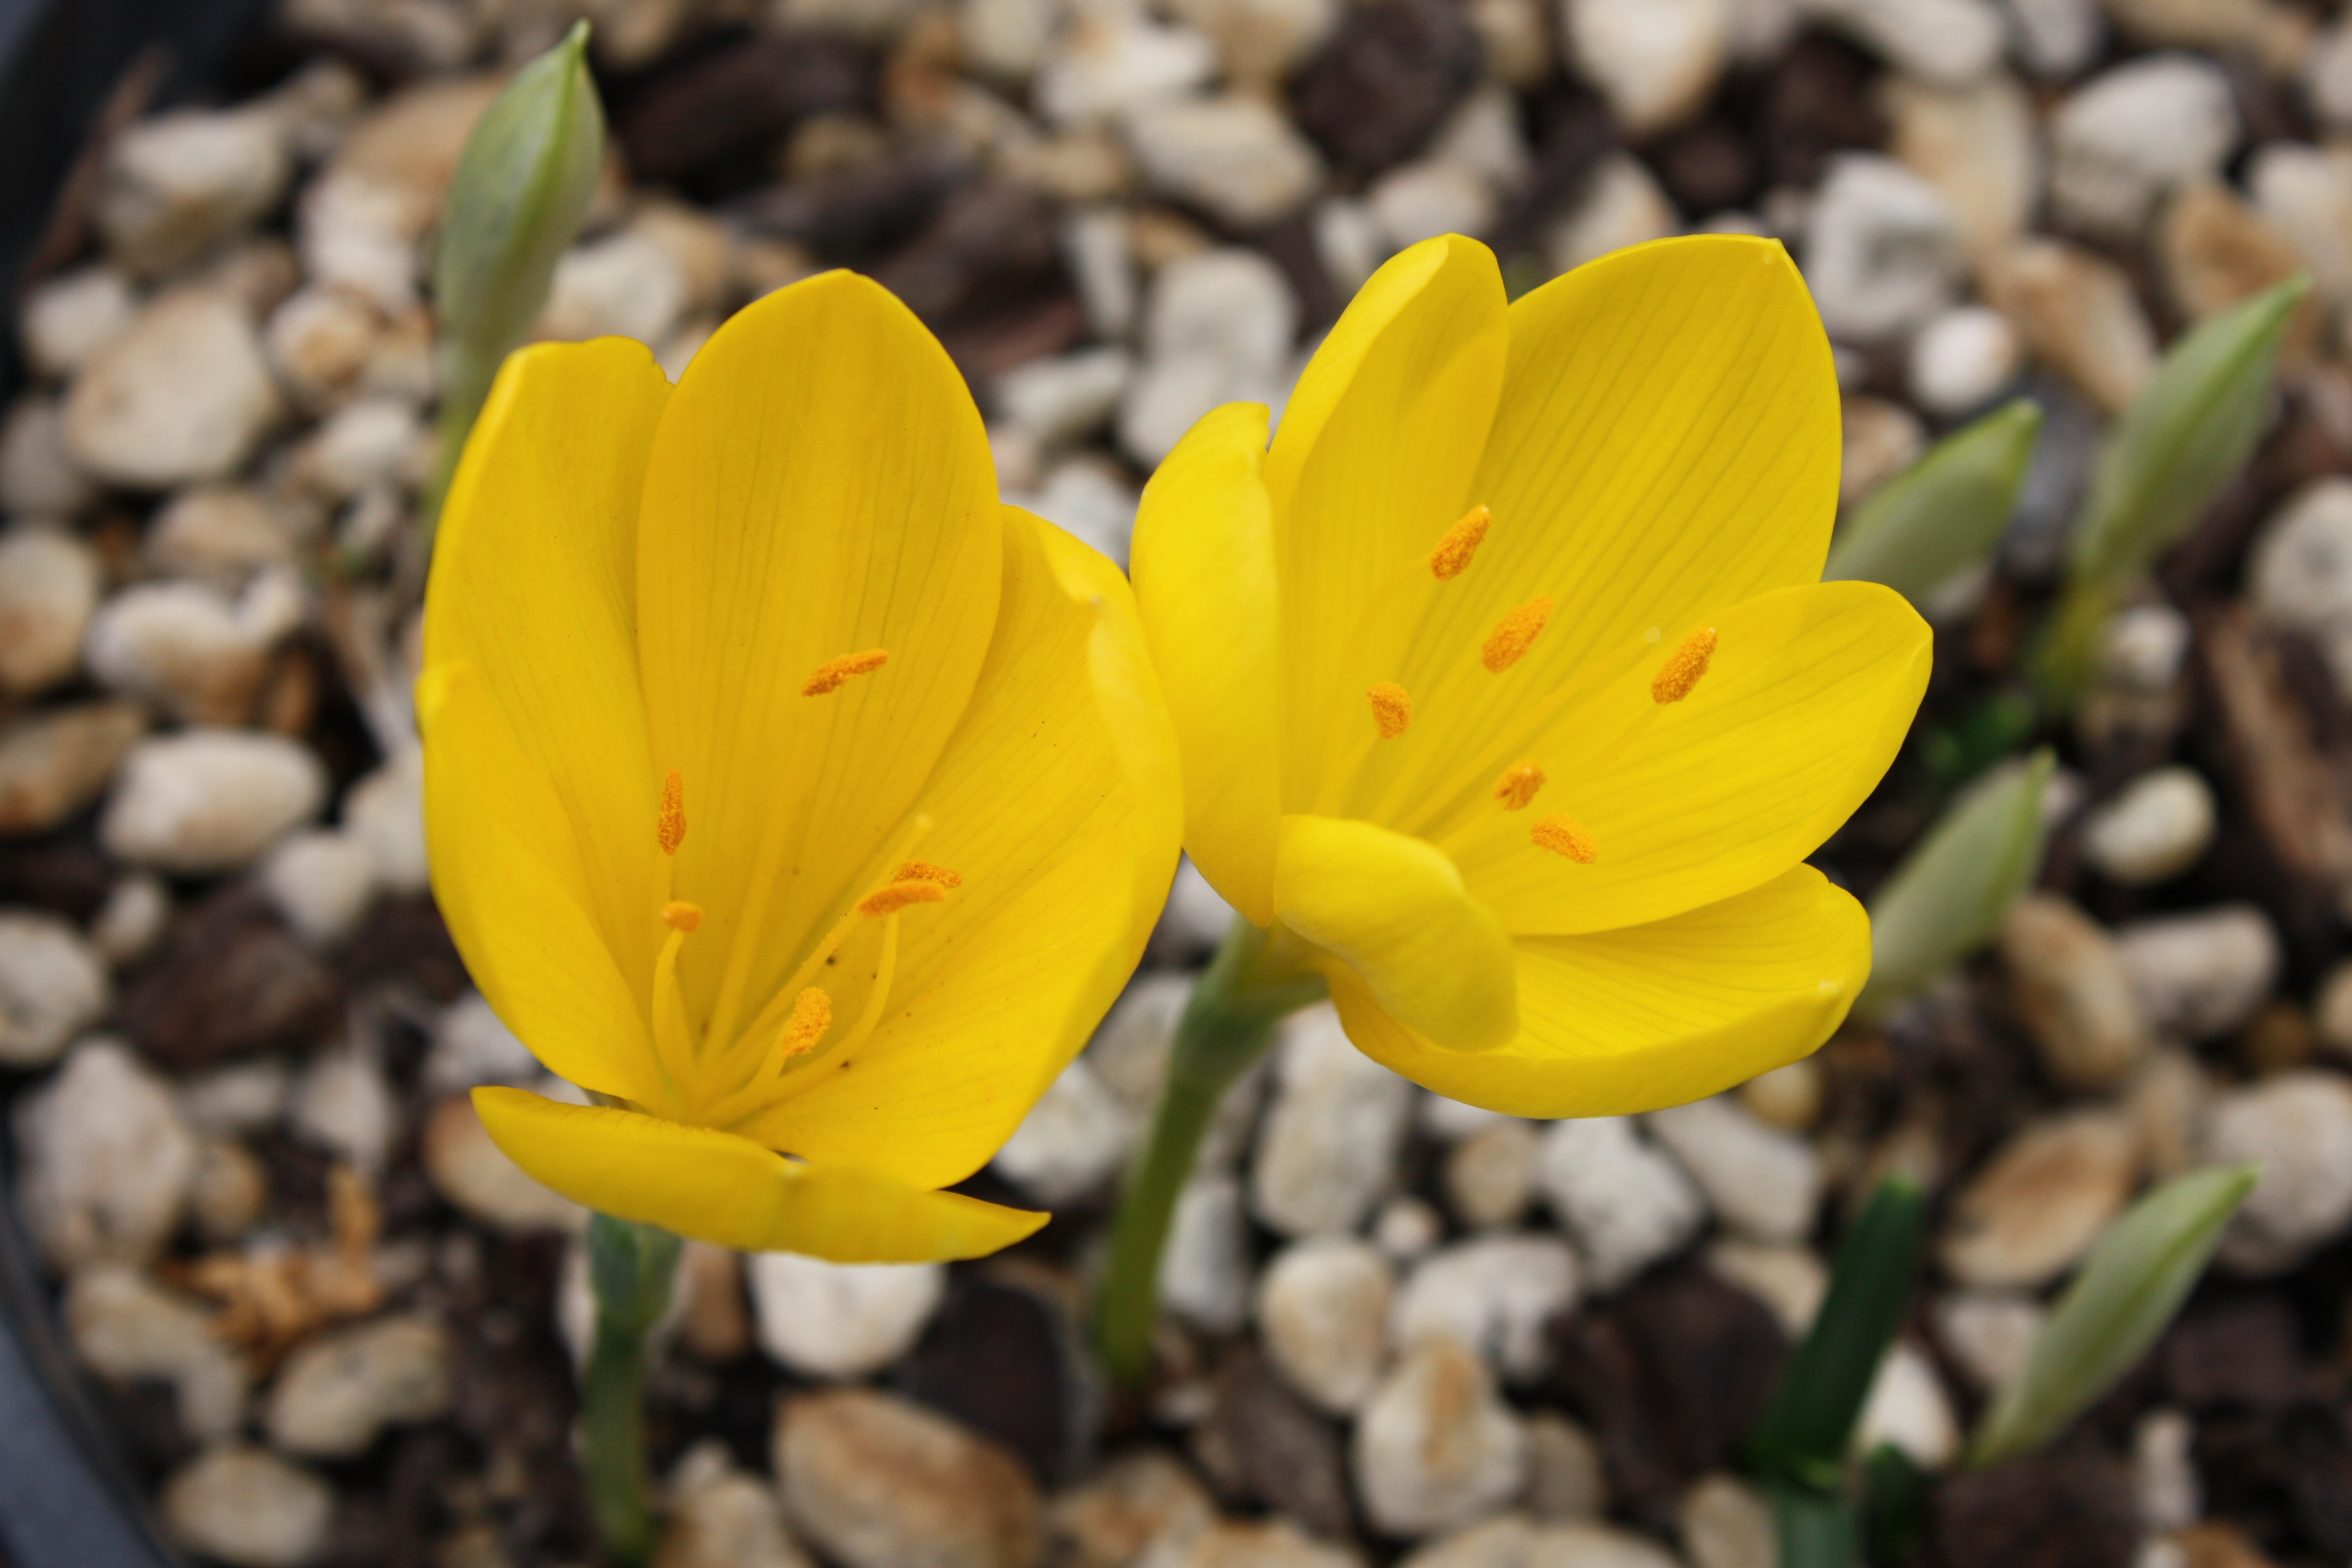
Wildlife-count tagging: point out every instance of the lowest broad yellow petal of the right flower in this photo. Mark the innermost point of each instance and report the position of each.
(1650, 1017)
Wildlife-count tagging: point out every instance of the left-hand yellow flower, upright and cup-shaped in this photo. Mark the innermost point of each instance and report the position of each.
(782, 786)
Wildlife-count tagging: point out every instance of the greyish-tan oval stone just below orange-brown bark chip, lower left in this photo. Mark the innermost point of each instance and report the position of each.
(340, 1391)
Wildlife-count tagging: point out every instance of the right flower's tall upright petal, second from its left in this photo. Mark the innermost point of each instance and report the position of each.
(1372, 464)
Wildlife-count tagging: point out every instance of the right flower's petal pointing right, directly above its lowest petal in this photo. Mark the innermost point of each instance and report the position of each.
(1800, 713)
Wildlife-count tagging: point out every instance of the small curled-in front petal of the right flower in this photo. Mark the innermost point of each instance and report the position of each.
(1396, 913)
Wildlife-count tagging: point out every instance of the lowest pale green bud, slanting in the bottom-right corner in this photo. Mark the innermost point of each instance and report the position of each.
(2123, 1299)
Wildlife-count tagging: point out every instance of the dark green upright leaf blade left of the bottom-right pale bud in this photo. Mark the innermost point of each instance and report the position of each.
(1810, 1426)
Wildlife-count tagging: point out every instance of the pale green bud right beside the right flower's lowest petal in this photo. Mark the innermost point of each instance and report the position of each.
(1953, 892)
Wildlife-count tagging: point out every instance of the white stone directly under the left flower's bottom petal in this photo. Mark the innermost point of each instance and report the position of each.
(841, 1320)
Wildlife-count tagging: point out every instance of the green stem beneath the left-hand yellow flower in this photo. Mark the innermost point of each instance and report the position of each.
(632, 1271)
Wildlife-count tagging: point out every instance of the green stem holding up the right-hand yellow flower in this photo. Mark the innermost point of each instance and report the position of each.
(1252, 984)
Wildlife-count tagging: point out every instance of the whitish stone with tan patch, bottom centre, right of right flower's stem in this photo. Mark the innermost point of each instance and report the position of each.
(1436, 1447)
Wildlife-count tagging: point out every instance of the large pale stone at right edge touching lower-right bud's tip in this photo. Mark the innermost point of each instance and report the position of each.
(2299, 1130)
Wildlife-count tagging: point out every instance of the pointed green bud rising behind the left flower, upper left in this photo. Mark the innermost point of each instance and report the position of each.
(516, 201)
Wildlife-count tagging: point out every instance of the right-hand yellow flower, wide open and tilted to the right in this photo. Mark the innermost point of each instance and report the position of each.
(1506, 688)
